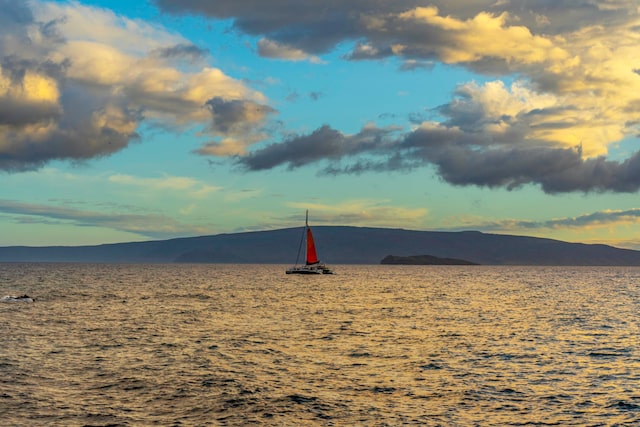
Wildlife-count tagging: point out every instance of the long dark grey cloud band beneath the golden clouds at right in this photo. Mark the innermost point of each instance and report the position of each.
(458, 158)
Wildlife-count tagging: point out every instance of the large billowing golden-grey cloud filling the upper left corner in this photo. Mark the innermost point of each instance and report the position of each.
(76, 83)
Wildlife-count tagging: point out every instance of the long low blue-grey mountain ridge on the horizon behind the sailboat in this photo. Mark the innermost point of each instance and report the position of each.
(336, 245)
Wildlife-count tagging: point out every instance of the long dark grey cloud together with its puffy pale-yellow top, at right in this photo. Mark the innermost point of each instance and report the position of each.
(490, 136)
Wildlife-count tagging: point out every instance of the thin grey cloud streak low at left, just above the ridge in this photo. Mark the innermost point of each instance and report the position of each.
(150, 225)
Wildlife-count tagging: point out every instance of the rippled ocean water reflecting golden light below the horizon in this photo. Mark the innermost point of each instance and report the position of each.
(209, 345)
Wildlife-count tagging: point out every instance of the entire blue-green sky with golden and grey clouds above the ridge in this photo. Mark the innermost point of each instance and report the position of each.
(130, 121)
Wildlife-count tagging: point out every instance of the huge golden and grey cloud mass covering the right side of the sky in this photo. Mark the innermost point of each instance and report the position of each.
(576, 94)
